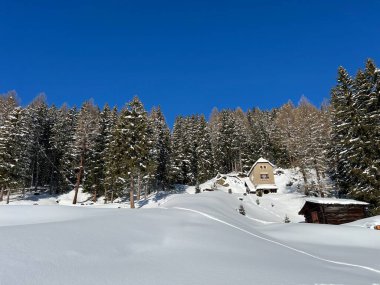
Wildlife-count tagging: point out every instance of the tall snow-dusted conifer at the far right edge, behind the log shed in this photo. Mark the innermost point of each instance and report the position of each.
(364, 136)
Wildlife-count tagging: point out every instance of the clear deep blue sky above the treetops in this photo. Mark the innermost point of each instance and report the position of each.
(186, 56)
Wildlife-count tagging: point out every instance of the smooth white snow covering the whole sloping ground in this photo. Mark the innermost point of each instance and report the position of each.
(184, 239)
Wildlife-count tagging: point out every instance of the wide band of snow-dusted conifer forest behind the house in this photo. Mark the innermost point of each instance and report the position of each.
(123, 153)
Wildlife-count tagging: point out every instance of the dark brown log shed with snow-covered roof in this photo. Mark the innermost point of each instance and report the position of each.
(333, 211)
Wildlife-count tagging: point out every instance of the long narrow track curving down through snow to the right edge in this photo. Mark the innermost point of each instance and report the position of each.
(279, 243)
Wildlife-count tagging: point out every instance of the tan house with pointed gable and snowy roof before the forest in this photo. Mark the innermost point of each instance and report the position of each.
(262, 177)
